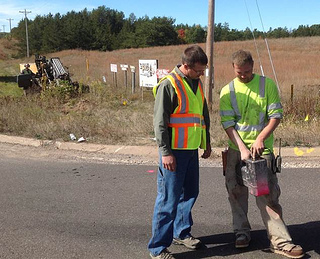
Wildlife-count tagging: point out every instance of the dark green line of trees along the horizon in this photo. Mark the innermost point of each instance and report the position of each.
(106, 29)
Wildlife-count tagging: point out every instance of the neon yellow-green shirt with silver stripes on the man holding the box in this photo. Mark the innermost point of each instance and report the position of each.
(249, 107)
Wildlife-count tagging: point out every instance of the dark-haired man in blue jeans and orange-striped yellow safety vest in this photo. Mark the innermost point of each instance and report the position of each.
(181, 125)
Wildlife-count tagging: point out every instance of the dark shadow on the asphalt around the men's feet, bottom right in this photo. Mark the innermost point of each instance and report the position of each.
(307, 235)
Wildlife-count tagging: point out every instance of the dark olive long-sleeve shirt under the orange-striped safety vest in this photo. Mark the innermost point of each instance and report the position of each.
(165, 103)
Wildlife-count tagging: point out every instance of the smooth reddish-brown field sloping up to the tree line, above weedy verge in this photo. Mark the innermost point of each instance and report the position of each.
(296, 60)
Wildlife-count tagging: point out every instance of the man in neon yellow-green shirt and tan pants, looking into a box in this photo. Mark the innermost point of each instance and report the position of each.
(250, 111)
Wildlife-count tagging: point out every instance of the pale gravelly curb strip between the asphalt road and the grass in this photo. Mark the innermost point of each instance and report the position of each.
(51, 152)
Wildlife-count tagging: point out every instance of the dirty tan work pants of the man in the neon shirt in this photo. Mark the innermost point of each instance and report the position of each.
(270, 209)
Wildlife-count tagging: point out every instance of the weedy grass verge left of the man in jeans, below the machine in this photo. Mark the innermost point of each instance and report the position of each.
(105, 115)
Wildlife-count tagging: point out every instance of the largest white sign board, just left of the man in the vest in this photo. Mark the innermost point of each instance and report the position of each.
(147, 73)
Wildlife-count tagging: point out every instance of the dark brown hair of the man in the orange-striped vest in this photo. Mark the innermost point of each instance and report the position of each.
(194, 54)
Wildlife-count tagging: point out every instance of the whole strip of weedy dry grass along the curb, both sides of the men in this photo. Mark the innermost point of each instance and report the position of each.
(114, 116)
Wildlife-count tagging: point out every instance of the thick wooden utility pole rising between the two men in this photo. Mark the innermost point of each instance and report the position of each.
(209, 82)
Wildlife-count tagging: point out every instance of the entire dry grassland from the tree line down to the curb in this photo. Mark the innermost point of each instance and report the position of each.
(113, 115)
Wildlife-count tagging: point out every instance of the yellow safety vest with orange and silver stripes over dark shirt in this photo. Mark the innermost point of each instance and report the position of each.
(187, 122)
